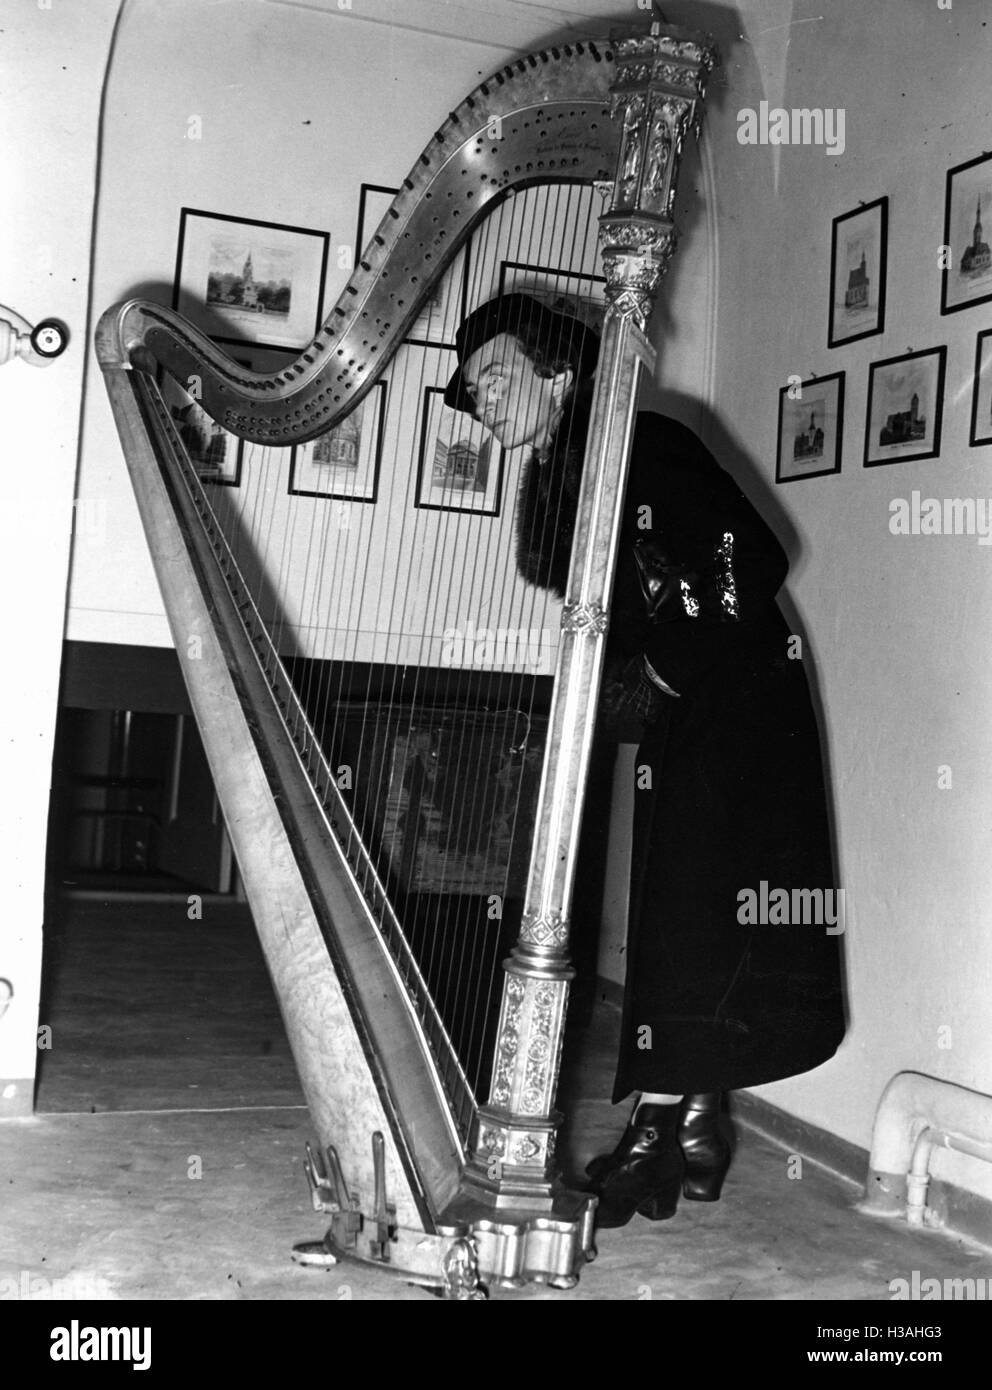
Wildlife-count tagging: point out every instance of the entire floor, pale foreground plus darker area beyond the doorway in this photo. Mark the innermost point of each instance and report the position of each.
(166, 1159)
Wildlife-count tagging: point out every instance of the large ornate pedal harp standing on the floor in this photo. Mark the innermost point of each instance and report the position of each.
(324, 725)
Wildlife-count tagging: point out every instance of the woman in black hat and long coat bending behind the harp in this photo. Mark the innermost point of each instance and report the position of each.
(729, 772)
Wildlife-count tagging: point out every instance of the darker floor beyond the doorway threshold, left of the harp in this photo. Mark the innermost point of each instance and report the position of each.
(152, 1011)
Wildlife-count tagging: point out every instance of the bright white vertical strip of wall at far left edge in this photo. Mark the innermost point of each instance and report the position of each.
(53, 66)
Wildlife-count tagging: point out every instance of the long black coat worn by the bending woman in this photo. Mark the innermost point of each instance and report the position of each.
(730, 789)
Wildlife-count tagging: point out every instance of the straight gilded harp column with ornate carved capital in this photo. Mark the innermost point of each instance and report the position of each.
(656, 99)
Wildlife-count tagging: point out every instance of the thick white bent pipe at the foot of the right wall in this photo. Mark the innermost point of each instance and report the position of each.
(915, 1115)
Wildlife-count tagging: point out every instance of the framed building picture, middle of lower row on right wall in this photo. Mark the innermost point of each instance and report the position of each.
(905, 408)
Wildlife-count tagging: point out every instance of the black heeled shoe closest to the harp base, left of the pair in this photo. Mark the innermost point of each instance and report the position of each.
(645, 1171)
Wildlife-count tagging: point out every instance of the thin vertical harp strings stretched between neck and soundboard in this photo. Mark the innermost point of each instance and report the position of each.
(359, 598)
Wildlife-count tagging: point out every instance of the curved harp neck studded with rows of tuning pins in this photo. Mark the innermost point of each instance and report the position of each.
(541, 119)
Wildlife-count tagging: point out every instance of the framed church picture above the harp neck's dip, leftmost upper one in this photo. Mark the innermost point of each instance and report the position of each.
(247, 281)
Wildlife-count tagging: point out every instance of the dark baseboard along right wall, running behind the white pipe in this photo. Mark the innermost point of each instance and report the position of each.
(951, 1209)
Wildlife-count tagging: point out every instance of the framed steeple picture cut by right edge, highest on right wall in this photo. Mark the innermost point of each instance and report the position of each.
(968, 226)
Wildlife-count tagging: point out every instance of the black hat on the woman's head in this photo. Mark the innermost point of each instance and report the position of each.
(559, 336)
